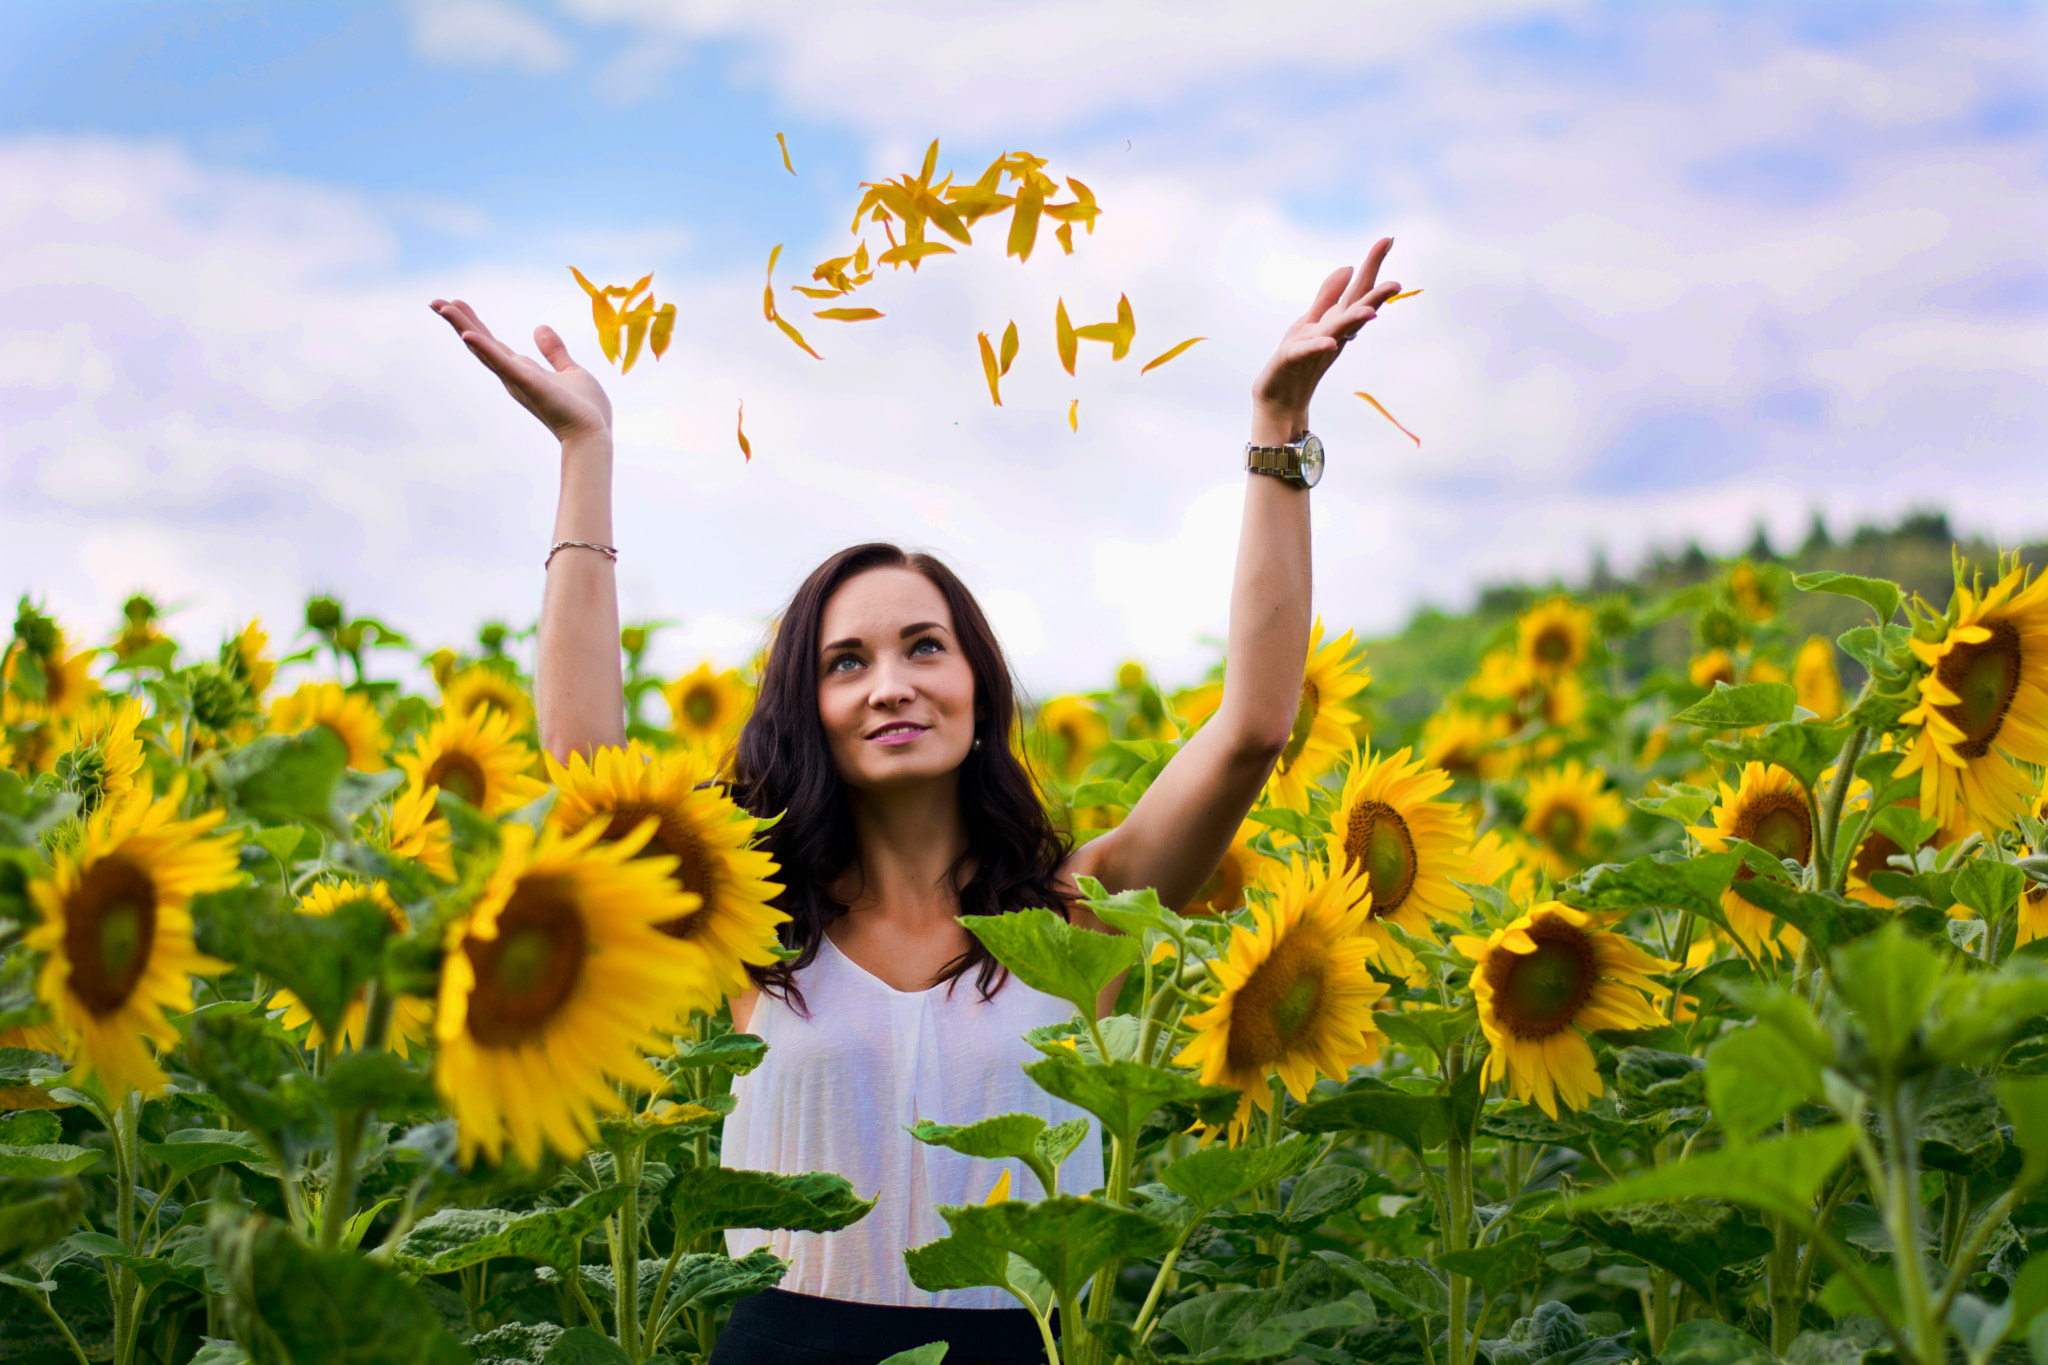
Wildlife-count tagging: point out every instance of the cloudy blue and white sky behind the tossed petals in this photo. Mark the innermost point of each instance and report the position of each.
(1687, 269)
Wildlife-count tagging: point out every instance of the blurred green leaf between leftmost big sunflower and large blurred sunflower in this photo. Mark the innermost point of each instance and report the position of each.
(321, 959)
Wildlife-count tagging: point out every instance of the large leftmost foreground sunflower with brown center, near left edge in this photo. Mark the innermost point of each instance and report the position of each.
(118, 934)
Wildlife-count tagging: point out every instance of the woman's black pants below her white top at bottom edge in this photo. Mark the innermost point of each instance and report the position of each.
(777, 1327)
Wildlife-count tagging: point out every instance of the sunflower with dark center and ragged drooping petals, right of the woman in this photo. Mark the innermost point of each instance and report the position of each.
(1543, 979)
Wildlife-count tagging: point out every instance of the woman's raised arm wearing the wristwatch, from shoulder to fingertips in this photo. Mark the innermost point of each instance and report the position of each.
(1179, 832)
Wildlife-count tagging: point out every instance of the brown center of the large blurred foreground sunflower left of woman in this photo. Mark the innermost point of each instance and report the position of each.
(531, 969)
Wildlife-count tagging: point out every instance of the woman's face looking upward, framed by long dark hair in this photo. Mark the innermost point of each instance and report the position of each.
(894, 689)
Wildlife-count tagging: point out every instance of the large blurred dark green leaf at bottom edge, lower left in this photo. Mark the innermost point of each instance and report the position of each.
(292, 1305)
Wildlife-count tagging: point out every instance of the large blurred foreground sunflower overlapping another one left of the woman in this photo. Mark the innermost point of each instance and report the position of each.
(554, 987)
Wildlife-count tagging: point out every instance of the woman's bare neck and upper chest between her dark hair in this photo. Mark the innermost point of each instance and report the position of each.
(910, 842)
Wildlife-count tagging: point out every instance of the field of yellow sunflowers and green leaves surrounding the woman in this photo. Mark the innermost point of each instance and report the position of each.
(1615, 1014)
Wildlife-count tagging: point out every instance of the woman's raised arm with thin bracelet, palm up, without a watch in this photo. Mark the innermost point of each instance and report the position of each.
(579, 687)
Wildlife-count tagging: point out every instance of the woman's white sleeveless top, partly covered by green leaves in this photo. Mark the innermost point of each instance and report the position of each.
(839, 1092)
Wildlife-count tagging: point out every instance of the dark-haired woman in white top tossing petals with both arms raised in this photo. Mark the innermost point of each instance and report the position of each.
(882, 732)
